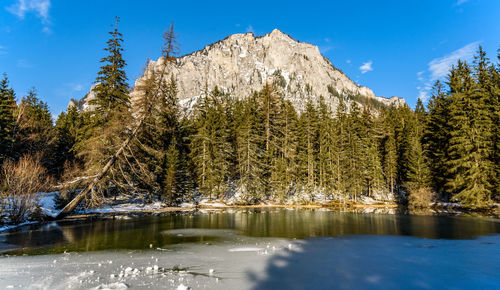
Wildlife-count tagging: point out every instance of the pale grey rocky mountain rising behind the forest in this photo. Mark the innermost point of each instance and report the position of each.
(242, 63)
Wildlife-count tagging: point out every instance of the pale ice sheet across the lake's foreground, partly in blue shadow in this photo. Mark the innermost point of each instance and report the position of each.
(347, 262)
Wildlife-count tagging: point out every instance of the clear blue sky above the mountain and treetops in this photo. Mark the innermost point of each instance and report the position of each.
(396, 48)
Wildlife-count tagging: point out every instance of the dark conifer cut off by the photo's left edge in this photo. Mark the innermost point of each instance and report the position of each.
(7, 119)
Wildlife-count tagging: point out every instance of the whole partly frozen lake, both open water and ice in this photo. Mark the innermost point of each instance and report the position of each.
(255, 249)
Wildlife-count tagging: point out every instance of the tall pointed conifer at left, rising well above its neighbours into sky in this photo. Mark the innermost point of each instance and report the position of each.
(108, 124)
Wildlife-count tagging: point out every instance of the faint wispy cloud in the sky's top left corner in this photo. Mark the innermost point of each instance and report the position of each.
(39, 7)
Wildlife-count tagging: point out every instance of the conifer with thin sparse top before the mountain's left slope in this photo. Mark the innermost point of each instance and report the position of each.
(159, 145)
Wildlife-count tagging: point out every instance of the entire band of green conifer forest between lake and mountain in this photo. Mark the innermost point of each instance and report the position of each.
(260, 145)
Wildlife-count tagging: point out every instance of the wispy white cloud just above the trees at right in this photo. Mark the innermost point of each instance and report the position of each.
(439, 68)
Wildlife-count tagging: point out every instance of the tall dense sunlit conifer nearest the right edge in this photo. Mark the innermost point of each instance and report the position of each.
(471, 145)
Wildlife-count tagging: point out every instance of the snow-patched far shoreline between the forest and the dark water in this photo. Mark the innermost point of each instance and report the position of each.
(133, 205)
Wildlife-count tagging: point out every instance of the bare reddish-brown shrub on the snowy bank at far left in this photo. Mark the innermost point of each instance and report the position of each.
(20, 182)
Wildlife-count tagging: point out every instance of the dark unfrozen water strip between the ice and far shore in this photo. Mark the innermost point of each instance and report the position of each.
(160, 231)
